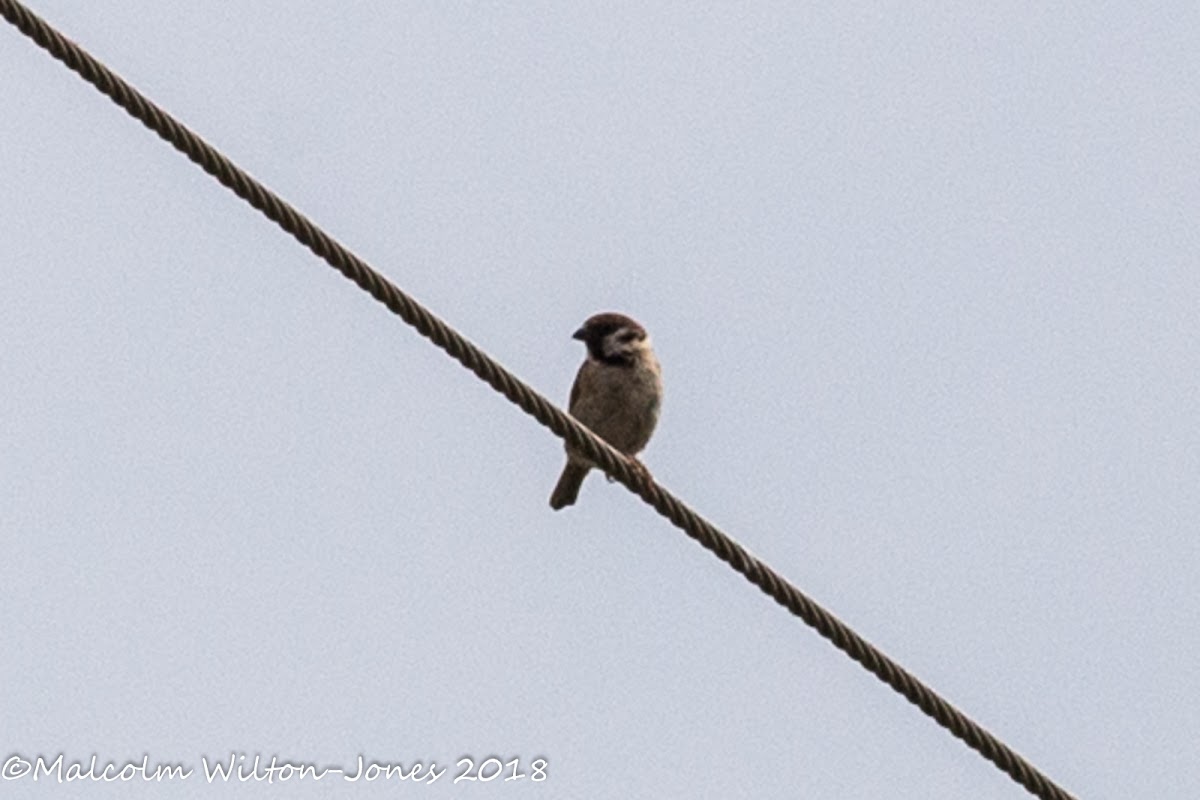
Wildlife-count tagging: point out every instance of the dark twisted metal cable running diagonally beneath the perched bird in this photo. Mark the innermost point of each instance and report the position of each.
(533, 404)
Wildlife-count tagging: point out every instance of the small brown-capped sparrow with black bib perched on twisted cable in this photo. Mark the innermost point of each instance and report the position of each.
(617, 395)
